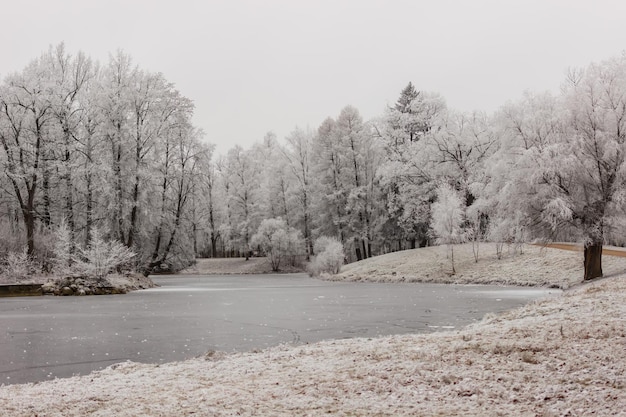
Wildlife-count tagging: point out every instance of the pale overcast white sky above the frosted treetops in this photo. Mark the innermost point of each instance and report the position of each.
(255, 66)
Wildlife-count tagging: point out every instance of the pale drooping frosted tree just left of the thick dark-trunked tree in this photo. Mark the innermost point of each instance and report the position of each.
(506, 196)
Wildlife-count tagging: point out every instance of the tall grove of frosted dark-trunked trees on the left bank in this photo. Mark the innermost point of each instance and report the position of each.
(106, 148)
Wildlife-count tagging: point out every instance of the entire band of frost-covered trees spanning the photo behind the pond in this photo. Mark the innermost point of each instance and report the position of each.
(112, 148)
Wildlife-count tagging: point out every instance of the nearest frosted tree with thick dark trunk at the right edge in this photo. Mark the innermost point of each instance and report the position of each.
(587, 180)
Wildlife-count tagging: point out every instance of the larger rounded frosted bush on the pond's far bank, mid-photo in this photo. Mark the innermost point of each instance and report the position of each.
(277, 241)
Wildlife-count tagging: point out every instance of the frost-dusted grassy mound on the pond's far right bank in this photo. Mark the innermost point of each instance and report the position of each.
(535, 266)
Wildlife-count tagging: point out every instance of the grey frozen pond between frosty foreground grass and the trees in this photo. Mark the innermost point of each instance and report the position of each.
(48, 337)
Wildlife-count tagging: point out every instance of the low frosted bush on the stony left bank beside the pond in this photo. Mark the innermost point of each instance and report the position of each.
(101, 257)
